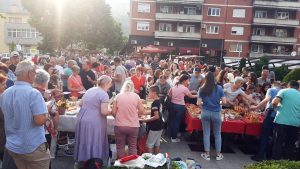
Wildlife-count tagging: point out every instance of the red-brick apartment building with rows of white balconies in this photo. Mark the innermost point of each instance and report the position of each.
(228, 28)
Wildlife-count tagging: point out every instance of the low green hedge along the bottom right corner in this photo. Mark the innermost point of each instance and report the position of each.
(282, 164)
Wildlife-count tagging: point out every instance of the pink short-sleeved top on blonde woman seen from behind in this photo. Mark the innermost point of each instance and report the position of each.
(127, 109)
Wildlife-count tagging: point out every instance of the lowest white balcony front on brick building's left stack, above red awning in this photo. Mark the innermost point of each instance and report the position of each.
(178, 35)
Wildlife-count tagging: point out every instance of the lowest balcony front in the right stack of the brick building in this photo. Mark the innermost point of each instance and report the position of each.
(273, 39)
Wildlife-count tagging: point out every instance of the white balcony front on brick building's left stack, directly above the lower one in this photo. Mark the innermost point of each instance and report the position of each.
(178, 17)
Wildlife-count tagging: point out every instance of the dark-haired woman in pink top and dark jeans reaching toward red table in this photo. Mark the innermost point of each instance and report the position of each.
(177, 93)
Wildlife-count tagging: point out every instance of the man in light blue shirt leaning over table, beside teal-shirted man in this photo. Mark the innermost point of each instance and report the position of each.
(267, 127)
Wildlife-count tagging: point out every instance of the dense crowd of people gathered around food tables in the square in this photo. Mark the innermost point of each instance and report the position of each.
(29, 89)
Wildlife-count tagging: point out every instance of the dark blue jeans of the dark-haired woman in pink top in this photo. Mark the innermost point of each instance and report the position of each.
(176, 115)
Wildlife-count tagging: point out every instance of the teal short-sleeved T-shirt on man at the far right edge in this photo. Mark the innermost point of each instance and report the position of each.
(288, 112)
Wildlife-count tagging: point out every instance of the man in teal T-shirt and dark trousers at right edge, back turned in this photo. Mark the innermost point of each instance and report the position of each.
(287, 120)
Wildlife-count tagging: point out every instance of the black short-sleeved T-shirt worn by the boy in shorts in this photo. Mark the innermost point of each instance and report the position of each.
(156, 125)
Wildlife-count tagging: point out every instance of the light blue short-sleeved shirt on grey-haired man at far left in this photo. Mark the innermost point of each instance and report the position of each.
(19, 104)
